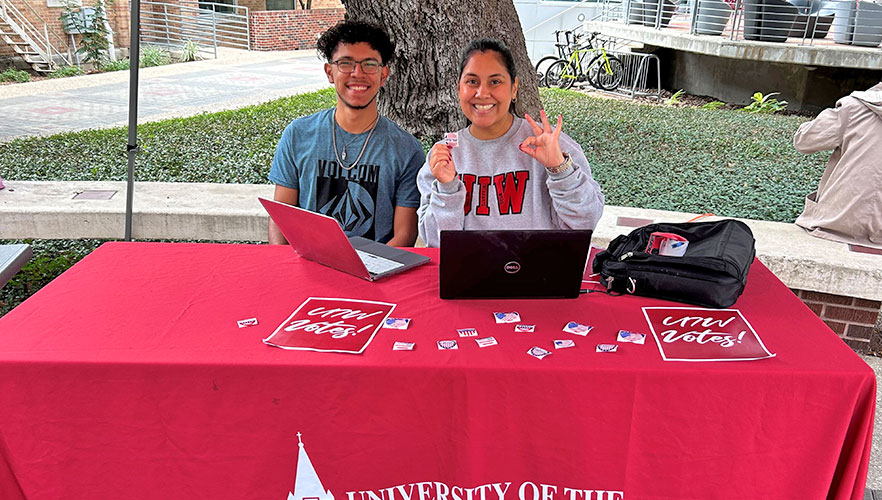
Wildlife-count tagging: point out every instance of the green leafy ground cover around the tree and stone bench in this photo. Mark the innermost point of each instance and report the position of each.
(730, 163)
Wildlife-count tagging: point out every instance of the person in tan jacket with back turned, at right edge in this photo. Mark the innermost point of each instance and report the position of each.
(847, 206)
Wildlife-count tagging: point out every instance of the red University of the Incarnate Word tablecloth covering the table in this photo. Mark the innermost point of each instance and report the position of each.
(128, 377)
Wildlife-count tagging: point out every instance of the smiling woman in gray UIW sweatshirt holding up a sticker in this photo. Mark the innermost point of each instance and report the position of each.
(502, 171)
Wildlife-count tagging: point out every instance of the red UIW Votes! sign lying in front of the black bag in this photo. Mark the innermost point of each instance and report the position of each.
(701, 334)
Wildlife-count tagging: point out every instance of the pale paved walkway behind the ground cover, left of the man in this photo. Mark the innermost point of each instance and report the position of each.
(237, 78)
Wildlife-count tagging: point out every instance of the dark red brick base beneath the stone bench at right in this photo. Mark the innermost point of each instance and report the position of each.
(857, 321)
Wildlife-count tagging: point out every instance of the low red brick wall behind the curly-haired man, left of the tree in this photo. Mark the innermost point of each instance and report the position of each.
(290, 29)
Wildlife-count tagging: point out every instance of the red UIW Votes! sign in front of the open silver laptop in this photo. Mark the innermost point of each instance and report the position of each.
(331, 325)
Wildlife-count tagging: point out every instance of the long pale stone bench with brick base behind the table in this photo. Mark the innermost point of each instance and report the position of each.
(842, 286)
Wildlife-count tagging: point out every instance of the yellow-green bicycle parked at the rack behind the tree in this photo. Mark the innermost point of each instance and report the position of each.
(604, 71)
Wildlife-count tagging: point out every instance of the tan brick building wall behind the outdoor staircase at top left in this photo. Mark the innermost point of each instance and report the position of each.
(117, 15)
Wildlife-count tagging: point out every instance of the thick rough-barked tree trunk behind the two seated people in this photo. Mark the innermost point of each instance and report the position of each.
(430, 36)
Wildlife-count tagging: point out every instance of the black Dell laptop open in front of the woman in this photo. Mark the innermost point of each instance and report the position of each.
(513, 264)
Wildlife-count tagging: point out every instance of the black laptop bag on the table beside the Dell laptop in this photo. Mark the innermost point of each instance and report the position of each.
(712, 272)
